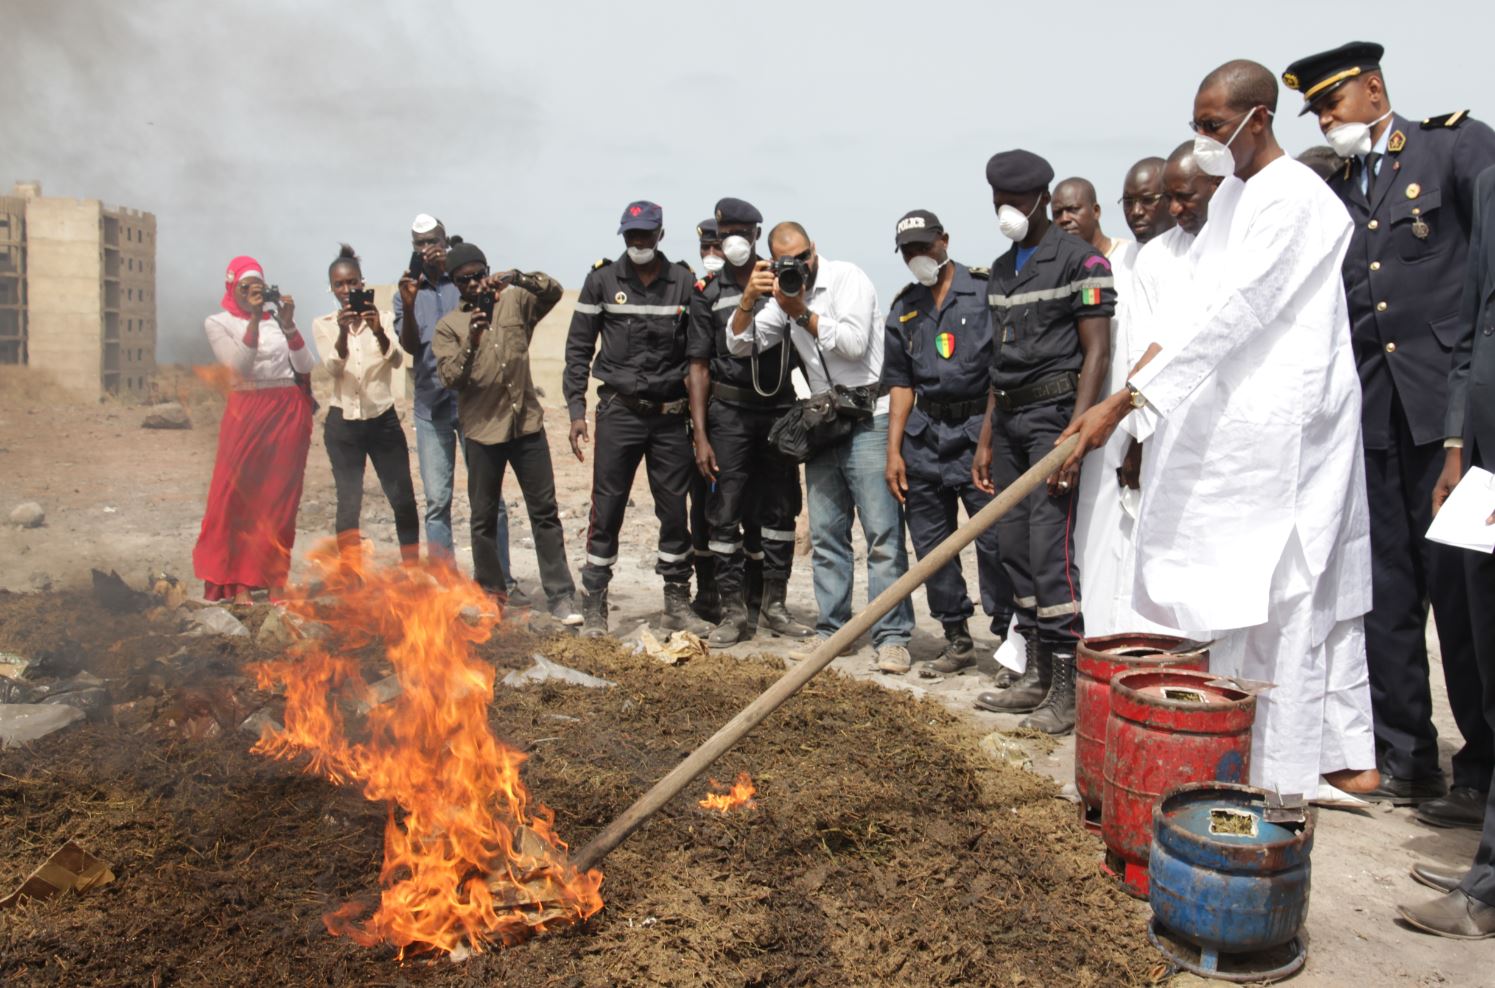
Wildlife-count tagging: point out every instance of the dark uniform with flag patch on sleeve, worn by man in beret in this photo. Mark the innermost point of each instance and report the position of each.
(1035, 367)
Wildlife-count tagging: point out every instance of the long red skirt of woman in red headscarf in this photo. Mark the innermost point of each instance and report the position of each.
(250, 524)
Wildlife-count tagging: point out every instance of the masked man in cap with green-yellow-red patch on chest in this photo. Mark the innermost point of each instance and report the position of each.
(937, 370)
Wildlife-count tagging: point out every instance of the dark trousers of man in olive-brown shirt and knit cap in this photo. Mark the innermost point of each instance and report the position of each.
(530, 457)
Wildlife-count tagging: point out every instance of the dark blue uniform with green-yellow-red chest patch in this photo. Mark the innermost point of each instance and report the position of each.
(943, 353)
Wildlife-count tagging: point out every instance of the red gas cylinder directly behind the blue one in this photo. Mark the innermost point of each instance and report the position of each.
(1167, 727)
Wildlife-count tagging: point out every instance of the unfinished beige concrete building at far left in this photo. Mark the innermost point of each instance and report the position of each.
(78, 292)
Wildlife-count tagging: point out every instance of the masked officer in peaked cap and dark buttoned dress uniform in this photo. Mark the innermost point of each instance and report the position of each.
(1409, 189)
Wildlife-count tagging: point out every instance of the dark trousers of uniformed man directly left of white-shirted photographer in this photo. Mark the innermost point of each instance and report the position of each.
(757, 498)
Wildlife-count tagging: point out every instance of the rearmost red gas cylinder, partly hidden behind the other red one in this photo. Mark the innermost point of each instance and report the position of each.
(1097, 661)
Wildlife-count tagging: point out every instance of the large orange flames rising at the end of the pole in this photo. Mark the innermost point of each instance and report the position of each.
(467, 856)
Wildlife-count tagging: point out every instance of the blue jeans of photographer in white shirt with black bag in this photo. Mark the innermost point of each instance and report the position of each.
(842, 481)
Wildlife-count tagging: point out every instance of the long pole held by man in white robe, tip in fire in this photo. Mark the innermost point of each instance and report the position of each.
(792, 682)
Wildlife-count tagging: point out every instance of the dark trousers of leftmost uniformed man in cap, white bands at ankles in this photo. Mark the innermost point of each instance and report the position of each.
(624, 439)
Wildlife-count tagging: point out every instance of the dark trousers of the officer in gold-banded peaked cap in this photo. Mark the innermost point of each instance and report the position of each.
(1409, 572)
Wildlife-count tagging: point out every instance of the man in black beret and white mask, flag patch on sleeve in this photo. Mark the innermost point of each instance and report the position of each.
(1052, 300)
